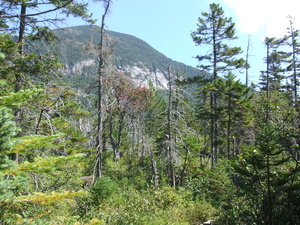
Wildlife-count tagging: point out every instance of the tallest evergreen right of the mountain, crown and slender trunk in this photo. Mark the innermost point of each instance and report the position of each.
(214, 30)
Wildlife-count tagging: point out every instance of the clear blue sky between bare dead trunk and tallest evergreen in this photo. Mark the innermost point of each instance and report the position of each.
(164, 24)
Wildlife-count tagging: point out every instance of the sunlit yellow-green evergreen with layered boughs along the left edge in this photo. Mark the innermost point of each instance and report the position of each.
(46, 133)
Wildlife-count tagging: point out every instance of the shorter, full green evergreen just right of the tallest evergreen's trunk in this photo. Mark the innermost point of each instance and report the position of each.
(232, 111)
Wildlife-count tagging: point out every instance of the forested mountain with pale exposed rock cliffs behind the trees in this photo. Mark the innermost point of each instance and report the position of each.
(78, 49)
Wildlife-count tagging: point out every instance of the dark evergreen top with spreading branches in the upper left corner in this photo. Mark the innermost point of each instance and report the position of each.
(35, 24)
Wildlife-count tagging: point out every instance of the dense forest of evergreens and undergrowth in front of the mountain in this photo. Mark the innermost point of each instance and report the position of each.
(207, 148)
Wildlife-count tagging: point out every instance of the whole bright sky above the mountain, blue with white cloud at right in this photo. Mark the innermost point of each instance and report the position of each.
(167, 24)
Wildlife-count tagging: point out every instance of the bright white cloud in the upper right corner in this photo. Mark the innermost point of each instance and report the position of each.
(269, 16)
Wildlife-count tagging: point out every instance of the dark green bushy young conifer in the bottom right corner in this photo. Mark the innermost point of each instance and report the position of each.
(268, 171)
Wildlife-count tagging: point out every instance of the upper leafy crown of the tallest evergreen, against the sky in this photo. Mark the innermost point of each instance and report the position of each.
(214, 29)
